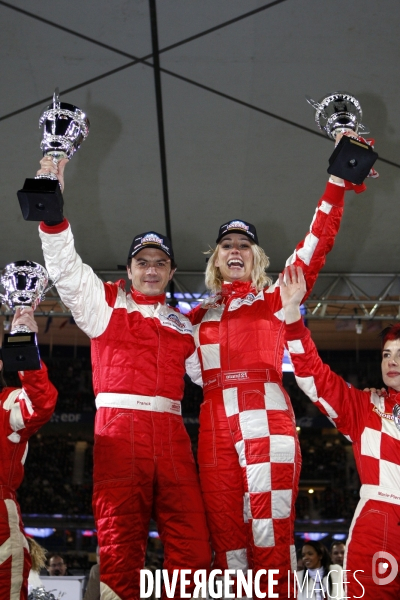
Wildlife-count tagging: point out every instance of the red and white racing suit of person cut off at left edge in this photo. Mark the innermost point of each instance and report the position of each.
(22, 413)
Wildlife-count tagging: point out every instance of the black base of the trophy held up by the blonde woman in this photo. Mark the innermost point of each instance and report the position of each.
(352, 160)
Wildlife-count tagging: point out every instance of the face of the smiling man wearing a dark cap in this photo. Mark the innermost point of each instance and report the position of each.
(150, 271)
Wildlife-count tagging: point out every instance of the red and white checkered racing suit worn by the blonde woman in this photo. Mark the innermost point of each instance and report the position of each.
(248, 453)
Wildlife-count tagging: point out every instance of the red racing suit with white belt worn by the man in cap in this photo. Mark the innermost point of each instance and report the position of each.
(143, 462)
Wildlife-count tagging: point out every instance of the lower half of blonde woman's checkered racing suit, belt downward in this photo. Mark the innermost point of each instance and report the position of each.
(249, 460)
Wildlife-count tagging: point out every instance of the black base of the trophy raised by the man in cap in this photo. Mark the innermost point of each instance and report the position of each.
(41, 200)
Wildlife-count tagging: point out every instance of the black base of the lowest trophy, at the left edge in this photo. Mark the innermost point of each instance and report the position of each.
(20, 352)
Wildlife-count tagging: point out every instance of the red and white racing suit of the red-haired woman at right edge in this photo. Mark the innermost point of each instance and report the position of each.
(368, 421)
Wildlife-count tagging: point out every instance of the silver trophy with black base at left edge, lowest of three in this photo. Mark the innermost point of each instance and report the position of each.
(25, 284)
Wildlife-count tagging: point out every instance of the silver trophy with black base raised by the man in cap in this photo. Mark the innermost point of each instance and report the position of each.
(65, 127)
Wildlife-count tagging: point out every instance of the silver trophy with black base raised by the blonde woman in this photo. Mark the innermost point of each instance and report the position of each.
(340, 112)
